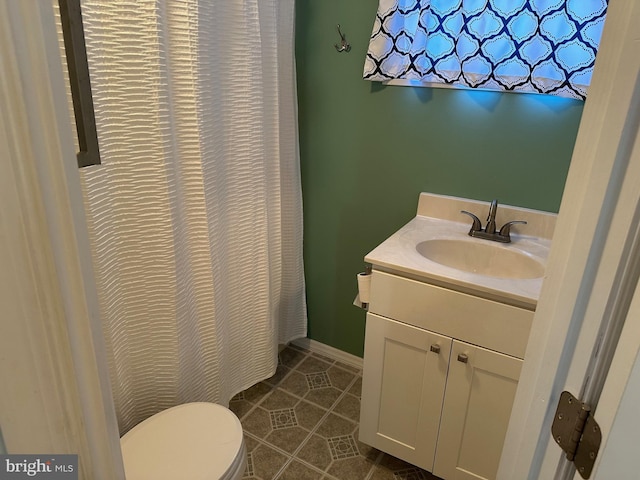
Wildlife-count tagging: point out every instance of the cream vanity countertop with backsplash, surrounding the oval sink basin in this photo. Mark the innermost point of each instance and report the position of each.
(439, 218)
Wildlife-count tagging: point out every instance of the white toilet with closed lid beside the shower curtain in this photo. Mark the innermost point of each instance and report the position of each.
(193, 441)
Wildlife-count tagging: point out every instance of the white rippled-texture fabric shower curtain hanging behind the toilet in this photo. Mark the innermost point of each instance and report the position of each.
(196, 212)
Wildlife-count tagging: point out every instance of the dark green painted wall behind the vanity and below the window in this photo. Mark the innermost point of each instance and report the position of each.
(368, 150)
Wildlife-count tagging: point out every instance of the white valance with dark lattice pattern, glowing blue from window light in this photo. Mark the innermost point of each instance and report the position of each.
(542, 46)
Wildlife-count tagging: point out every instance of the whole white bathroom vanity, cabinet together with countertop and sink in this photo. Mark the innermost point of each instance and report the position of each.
(446, 333)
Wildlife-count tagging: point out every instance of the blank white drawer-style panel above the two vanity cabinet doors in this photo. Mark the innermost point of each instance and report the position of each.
(476, 320)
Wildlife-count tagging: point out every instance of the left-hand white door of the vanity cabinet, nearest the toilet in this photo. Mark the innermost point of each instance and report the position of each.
(402, 389)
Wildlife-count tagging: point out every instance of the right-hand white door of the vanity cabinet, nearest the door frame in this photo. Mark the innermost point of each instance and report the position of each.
(480, 390)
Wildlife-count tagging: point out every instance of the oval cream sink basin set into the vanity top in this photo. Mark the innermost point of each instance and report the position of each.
(481, 257)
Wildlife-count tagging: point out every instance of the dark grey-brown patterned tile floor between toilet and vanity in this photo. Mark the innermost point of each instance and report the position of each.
(302, 424)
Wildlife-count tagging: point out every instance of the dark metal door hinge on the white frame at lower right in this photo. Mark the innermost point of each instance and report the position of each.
(575, 430)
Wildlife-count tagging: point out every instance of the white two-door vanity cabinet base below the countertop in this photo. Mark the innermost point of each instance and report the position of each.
(441, 369)
